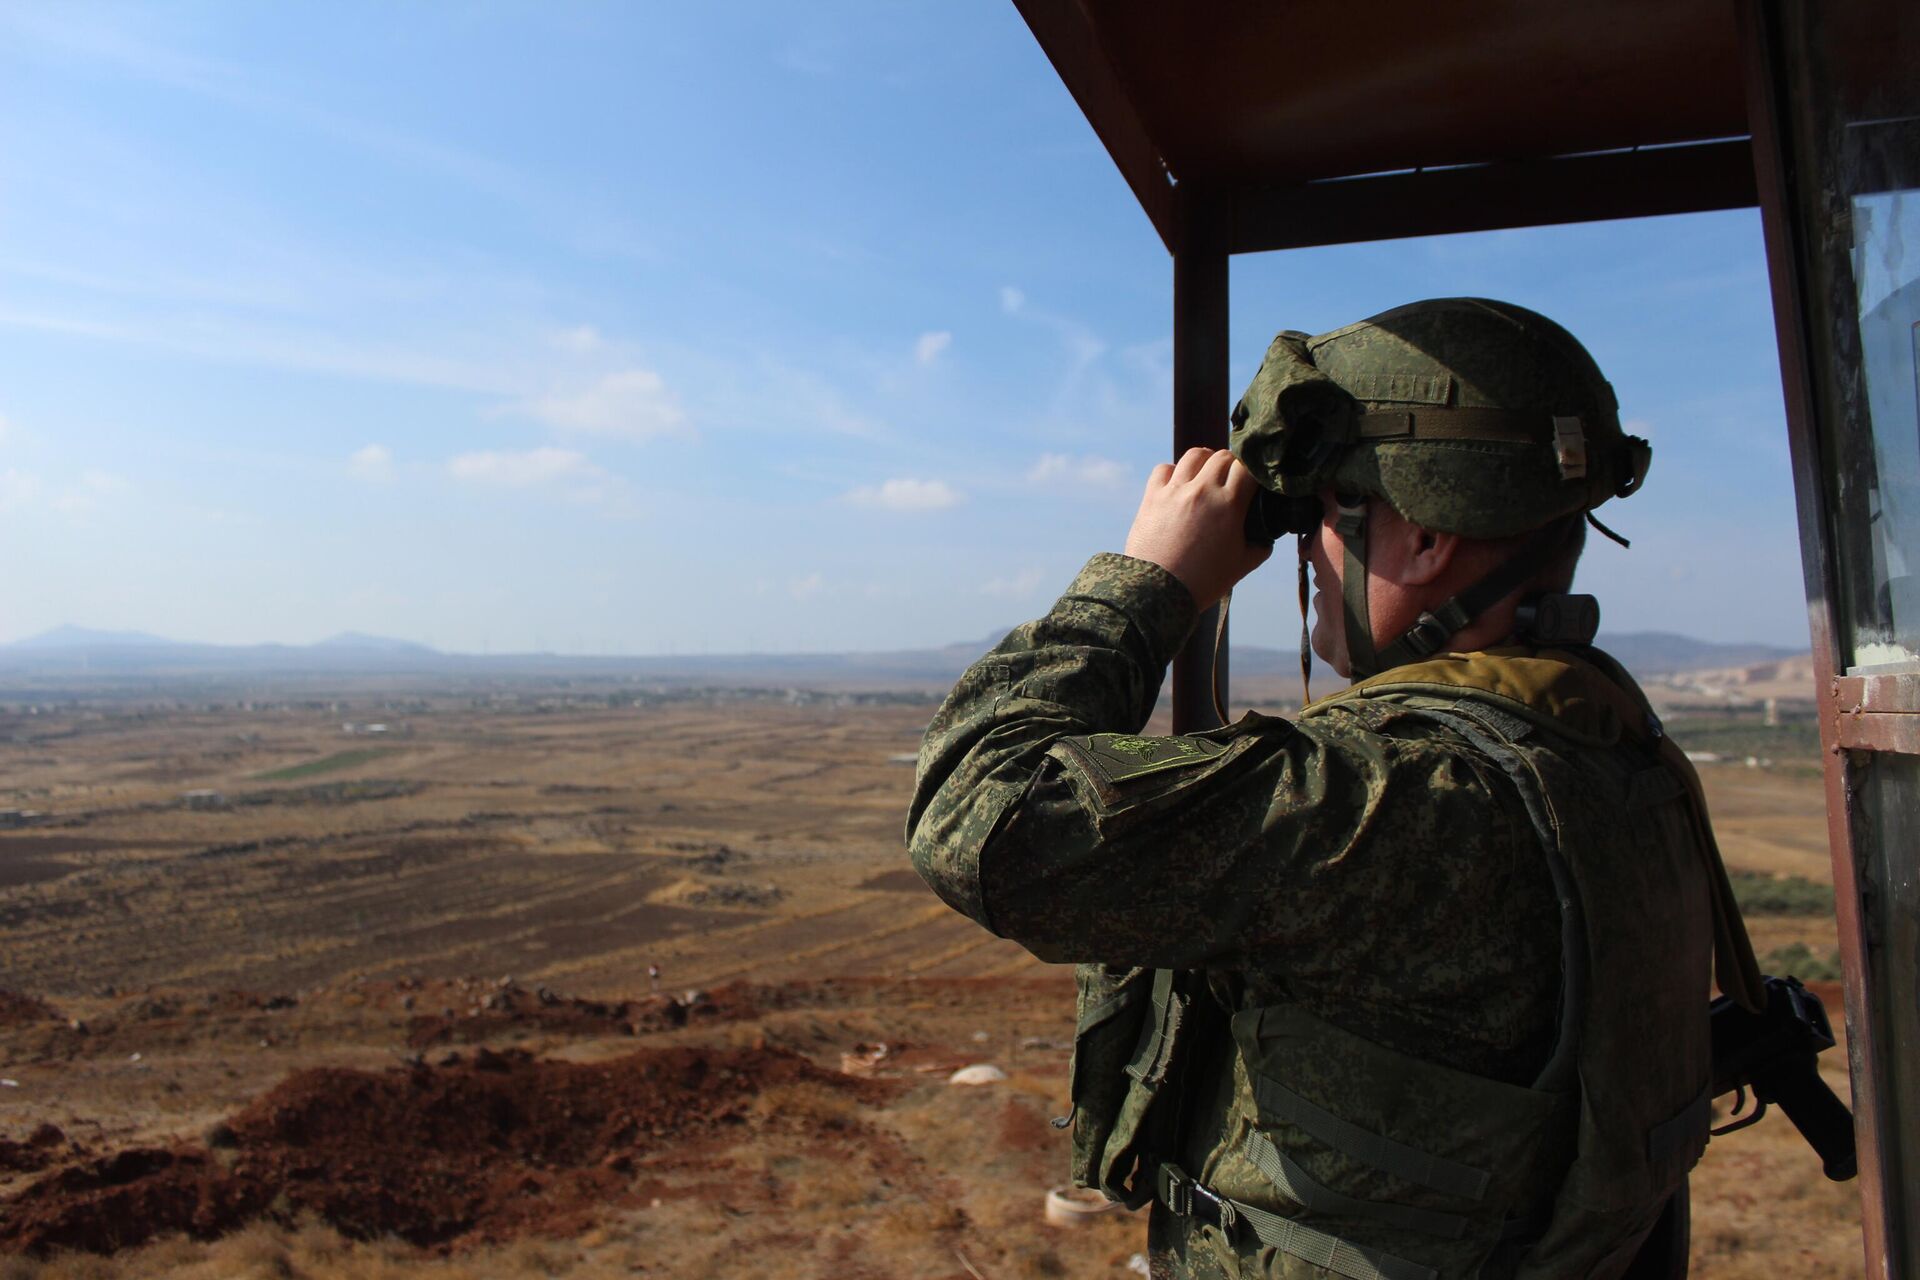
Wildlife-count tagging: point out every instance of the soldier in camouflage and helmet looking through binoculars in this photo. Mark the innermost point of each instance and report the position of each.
(1414, 984)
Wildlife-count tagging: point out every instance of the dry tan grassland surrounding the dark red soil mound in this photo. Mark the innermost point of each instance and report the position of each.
(540, 847)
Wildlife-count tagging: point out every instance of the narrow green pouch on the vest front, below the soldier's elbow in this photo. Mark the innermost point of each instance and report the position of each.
(1124, 1043)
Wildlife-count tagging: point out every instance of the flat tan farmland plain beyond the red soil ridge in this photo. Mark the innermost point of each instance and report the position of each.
(567, 849)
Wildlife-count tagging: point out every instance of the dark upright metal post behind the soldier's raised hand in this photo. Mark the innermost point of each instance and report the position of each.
(1199, 406)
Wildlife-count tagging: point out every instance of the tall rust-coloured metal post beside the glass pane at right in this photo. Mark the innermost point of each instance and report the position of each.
(1777, 166)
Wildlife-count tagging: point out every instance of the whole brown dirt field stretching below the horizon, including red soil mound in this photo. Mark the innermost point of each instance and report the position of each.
(381, 1008)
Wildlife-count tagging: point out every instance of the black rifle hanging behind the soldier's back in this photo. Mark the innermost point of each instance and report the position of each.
(1777, 1056)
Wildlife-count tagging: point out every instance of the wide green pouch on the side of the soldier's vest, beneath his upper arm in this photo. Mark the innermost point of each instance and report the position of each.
(1406, 1154)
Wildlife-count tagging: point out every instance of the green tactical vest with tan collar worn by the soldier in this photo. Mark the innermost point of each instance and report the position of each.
(1341, 1156)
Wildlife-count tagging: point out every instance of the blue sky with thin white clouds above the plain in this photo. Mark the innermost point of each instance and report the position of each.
(646, 329)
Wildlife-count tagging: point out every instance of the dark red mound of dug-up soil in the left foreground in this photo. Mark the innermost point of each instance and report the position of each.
(485, 1149)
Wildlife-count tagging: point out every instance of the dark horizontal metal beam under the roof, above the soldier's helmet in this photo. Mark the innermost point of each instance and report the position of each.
(1524, 193)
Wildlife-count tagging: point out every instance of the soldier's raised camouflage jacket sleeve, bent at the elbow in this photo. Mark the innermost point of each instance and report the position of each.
(1307, 849)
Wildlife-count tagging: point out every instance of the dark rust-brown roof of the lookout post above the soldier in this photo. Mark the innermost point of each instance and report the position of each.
(1466, 118)
